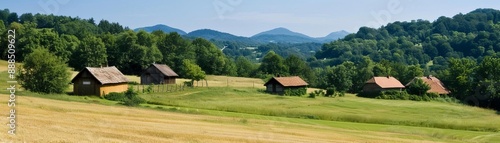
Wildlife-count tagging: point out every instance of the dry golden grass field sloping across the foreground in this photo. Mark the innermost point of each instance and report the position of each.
(45, 120)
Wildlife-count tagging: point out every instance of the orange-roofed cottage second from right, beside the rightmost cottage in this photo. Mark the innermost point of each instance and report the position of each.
(377, 84)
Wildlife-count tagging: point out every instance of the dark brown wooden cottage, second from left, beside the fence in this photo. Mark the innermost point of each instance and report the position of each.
(158, 74)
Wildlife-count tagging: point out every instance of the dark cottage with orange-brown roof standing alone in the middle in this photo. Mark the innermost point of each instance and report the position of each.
(280, 84)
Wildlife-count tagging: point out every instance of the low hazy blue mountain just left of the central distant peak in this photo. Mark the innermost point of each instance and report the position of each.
(219, 36)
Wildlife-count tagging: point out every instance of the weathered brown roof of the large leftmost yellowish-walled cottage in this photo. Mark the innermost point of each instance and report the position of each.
(105, 75)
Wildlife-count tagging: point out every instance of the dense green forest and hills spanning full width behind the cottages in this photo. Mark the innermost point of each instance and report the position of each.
(463, 51)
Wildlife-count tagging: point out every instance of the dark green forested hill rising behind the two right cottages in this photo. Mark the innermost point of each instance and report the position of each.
(475, 34)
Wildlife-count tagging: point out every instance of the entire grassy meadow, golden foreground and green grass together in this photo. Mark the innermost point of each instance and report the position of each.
(235, 109)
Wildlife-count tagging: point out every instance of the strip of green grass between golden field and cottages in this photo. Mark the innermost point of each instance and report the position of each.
(349, 108)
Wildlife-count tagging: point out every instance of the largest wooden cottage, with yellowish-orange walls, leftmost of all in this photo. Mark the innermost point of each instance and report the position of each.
(99, 81)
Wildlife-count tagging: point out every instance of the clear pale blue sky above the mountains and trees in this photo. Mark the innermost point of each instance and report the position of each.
(315, 18)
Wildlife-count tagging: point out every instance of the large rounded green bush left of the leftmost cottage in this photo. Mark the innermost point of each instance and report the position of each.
(44, 72)
